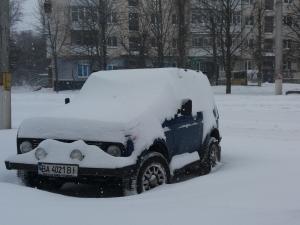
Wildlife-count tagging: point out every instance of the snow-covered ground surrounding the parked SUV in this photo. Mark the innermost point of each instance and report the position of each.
(257, 183)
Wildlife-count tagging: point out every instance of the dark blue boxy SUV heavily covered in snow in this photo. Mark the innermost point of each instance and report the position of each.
(138, 126)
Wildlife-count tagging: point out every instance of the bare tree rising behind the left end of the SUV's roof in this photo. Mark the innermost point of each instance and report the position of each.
(97, 20)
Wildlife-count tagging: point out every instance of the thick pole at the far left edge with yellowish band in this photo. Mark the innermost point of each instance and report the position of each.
(5, 76)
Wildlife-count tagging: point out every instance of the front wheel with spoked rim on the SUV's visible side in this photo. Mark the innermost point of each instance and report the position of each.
(154, 171)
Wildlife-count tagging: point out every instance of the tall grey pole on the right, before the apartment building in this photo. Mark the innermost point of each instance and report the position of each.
(278, 49)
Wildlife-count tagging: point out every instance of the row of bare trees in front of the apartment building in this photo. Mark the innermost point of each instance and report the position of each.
(158, 27)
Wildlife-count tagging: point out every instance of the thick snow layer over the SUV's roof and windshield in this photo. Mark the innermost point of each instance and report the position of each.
(122, 95)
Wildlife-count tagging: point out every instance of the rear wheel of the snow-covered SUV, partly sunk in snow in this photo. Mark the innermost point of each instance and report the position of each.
(211, 156)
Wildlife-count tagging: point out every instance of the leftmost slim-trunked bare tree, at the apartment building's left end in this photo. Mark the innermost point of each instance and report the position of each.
(55, 26)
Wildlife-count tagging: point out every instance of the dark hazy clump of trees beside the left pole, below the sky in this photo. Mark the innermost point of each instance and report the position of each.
(27, 50)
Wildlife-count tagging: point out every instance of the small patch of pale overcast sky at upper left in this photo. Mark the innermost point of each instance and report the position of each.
(29, 18)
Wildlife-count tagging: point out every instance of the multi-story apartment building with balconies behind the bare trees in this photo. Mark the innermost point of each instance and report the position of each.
(77, 56)
